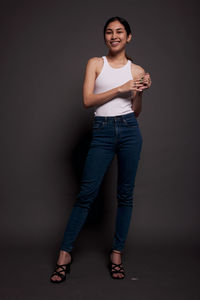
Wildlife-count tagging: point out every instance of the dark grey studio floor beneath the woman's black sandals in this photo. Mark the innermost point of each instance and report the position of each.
(151, 273)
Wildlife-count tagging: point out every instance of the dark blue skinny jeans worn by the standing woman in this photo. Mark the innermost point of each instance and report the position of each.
(121, 135)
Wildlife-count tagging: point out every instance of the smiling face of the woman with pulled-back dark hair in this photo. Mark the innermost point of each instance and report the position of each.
(116, 36)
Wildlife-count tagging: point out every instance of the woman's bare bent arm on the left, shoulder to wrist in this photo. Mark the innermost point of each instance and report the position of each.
(89, 98)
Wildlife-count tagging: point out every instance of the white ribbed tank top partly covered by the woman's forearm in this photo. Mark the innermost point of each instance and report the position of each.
(110, 78)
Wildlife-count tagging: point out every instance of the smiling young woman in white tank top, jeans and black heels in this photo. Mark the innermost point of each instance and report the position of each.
(113, 85)
